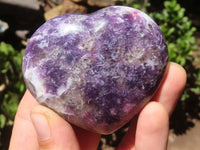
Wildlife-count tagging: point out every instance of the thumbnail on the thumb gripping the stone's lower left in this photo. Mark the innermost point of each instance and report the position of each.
(41, 126)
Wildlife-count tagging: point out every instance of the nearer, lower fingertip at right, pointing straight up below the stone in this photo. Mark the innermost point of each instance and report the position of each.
(152, 128)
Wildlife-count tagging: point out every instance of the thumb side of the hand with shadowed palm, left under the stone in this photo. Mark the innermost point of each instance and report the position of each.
(37, 127)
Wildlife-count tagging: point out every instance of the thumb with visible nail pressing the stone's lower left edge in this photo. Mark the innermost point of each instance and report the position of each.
(52, 131)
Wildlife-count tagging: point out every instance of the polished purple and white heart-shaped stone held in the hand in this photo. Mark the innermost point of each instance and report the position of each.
(96, 70)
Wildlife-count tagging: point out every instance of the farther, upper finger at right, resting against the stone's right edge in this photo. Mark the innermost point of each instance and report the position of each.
(171, 87)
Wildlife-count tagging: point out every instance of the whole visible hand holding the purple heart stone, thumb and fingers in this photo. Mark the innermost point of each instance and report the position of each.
(149, 130)
